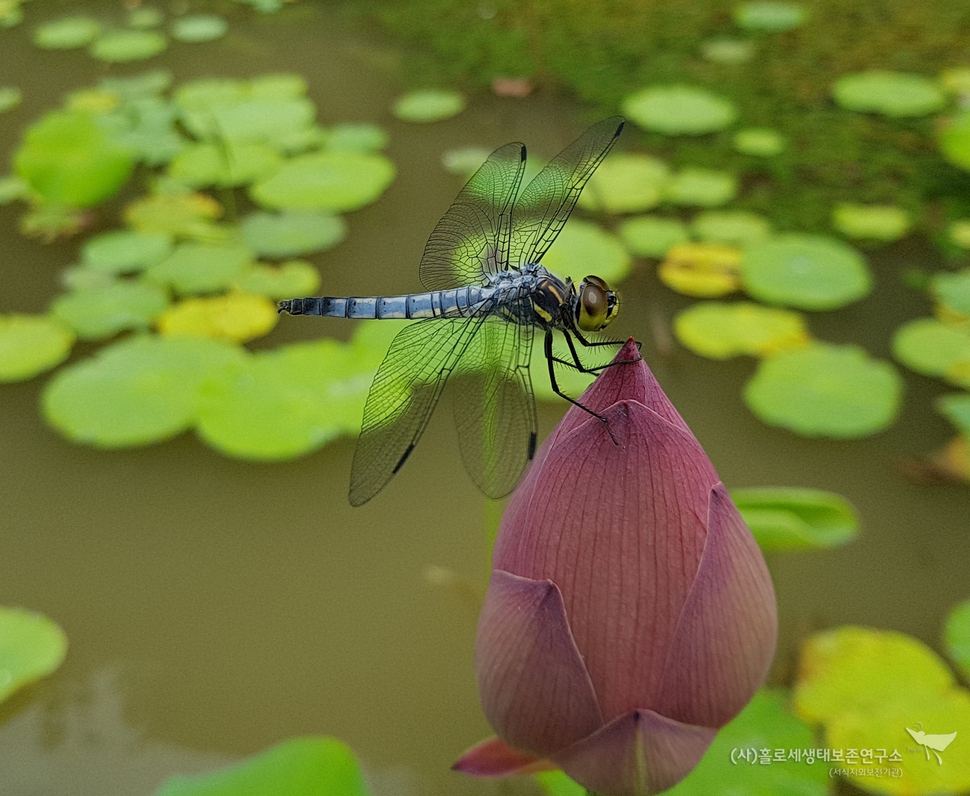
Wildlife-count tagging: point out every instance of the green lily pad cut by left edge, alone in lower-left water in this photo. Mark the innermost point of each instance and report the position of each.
(31, 647)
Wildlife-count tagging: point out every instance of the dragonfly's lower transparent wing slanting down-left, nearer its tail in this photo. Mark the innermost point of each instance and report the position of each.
(402, 398)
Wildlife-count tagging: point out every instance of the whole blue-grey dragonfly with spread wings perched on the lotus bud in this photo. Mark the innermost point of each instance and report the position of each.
(487, 296)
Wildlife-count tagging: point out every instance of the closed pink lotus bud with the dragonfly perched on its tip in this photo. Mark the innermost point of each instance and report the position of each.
(630, 613)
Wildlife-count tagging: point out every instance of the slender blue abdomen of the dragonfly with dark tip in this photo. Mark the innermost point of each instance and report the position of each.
(456, 303)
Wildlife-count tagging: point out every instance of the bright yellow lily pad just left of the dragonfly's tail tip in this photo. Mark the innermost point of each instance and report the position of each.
(237, 317)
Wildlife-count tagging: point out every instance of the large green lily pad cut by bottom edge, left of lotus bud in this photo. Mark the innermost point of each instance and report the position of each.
(310, 766)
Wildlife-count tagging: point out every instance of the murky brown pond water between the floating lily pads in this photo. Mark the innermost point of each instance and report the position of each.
(215, 607)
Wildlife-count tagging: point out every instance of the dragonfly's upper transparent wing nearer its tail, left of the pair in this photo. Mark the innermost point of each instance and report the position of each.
(472, 238)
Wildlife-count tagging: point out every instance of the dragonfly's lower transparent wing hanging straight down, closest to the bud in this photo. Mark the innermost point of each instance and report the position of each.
(494, 407)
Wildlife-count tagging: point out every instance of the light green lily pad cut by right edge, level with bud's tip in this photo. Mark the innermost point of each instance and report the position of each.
(934, 349)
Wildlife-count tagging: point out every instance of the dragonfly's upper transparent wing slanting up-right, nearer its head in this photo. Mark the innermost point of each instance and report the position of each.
(547, 201)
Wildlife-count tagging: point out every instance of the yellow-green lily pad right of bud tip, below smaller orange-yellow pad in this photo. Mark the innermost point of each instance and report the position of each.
(720, 331)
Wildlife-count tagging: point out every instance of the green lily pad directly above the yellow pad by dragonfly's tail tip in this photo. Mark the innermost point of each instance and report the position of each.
(200, 267)
